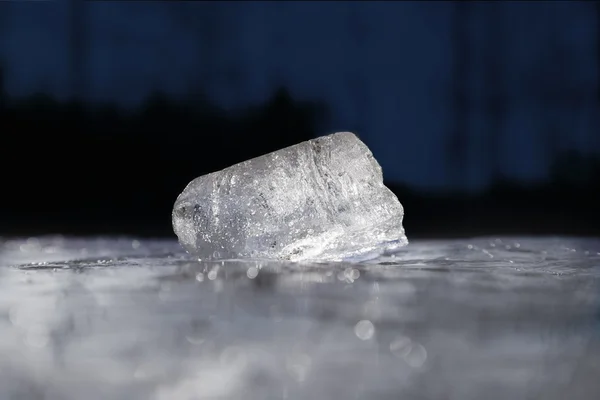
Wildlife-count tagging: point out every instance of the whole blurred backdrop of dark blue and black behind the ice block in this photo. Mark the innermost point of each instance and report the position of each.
(483, 115)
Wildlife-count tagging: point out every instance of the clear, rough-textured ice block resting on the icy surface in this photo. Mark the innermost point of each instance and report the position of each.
(322, 199)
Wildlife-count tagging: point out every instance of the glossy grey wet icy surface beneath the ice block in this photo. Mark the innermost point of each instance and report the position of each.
(486, 318)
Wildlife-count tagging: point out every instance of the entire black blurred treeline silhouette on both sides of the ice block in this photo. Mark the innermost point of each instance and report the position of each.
(123, 173)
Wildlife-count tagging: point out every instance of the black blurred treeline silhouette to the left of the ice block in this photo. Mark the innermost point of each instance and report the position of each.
(122, 173)
